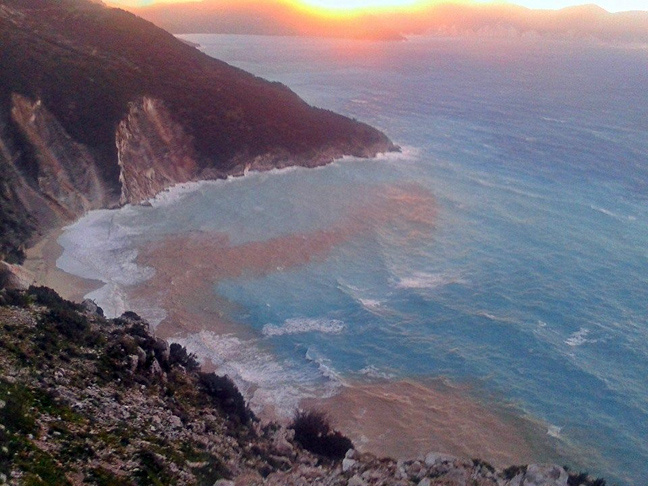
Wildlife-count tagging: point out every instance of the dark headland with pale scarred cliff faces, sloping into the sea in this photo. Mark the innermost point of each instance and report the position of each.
(99, 107)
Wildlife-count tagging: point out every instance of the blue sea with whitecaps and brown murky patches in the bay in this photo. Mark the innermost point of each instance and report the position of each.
(501, 257)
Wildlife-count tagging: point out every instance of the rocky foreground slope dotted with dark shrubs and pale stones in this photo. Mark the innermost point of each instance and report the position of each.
(87, 400)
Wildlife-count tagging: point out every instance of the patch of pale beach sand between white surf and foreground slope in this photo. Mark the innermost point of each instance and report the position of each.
(41, 262)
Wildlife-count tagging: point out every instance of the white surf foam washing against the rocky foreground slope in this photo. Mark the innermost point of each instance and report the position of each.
(264, 379)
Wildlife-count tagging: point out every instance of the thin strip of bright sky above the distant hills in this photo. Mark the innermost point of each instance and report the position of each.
(610, 5)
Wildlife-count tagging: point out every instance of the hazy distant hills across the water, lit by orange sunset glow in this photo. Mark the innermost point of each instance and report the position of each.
(445, 18)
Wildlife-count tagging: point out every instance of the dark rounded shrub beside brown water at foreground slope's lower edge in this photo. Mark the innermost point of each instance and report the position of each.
(313, 431)
